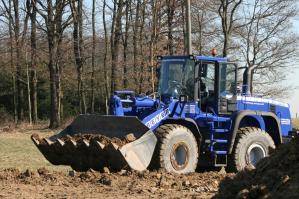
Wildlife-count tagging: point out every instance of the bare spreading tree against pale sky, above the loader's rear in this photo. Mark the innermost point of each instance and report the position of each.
(266, 44)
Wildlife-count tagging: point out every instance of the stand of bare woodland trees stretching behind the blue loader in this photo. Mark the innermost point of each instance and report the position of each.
(120, 53)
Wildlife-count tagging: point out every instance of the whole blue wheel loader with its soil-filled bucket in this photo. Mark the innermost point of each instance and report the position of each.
(202, 114)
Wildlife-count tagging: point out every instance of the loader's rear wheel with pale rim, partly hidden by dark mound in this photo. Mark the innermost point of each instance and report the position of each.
(251, 145)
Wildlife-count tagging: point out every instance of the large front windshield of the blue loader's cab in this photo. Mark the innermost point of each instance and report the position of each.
(177, 78)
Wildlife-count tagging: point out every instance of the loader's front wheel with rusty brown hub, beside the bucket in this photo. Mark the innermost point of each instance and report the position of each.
(176, 150)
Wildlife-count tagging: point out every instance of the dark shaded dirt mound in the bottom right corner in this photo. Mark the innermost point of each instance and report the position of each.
(275, 177)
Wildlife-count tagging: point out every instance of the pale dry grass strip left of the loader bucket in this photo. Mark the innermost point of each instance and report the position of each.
(18, 151)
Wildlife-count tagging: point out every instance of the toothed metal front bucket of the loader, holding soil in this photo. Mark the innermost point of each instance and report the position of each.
(95, 142)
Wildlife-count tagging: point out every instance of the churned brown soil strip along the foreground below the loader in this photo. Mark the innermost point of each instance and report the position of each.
(124, 184)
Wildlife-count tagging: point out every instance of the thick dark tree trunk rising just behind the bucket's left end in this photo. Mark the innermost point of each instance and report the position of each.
(55, 26)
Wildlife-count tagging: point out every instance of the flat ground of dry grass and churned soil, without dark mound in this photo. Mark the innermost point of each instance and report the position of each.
(26, 180)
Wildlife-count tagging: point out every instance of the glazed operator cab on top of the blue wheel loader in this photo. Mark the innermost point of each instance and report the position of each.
(210, 81)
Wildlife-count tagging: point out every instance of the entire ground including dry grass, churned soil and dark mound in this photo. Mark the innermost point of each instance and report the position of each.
(275, 177)
